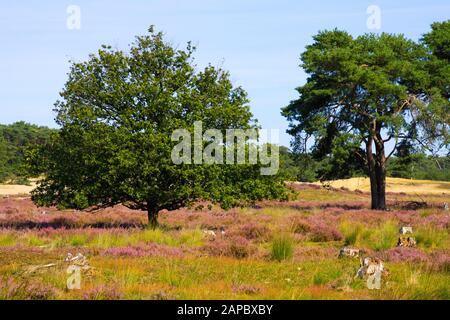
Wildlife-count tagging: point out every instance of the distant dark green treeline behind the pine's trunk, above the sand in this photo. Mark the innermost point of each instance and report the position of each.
(310, 168)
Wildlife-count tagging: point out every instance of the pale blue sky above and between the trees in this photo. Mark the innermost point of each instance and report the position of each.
(258, 41)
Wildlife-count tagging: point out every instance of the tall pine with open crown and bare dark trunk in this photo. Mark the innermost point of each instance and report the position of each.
(376, 91)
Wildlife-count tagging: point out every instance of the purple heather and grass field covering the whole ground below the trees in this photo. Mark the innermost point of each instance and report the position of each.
(274, 250)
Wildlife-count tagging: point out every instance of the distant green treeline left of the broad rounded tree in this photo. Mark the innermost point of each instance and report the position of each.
(14, 140)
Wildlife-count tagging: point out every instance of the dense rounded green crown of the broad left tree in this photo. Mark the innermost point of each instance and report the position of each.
(117, 113)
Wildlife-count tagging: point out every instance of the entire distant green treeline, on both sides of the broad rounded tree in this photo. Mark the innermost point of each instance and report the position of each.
(17, 137)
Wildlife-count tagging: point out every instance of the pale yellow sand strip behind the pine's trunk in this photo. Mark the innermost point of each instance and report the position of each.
(395, 185)
